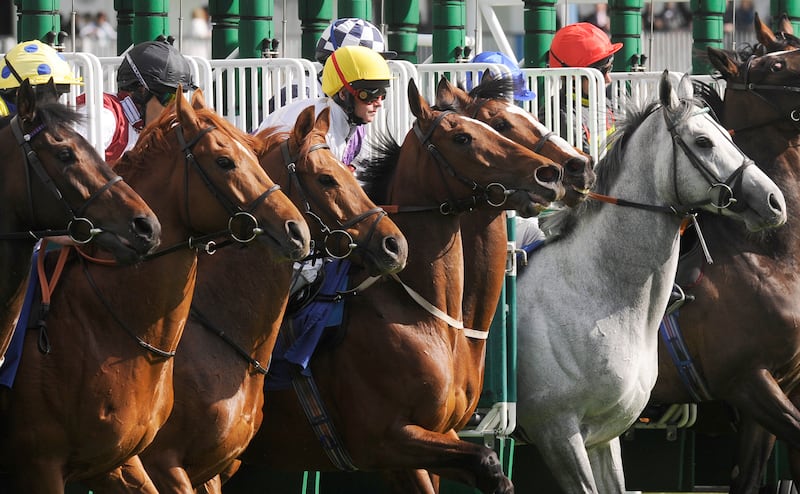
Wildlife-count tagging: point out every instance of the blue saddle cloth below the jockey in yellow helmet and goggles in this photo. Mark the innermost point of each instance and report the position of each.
(307, 327)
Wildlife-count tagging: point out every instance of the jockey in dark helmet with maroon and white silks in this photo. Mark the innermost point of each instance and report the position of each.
(147, 81)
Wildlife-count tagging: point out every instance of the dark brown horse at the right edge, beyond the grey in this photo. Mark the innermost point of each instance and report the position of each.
(748, 298)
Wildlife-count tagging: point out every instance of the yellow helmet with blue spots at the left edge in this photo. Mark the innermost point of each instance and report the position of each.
(37, 62)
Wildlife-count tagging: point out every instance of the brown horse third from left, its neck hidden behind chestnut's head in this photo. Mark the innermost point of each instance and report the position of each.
(239, 303)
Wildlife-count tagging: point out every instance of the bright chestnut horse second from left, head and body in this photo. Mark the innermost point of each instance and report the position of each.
(101, 392)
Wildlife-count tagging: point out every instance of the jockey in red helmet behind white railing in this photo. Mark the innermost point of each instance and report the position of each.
(584, 45)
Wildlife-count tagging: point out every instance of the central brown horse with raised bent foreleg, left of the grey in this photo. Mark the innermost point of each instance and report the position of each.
(388, 384)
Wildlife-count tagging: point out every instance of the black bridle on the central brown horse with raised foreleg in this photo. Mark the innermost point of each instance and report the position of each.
(480, 194)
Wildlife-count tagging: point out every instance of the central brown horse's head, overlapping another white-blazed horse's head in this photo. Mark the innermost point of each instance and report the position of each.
(471, 157)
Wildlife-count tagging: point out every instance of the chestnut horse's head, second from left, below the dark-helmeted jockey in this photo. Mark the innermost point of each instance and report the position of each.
(209, 166)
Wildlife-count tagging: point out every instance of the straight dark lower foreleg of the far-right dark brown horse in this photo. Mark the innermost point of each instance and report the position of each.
(754, 447)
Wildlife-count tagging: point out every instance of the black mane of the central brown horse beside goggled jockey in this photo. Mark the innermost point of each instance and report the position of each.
(377, 172)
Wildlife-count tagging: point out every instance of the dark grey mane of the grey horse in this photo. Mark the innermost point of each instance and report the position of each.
(562, 222)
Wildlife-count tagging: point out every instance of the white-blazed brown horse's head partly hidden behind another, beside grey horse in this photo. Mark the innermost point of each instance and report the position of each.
(489, 101)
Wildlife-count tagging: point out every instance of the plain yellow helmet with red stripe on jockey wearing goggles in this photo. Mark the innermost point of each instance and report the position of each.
(355, 67)
